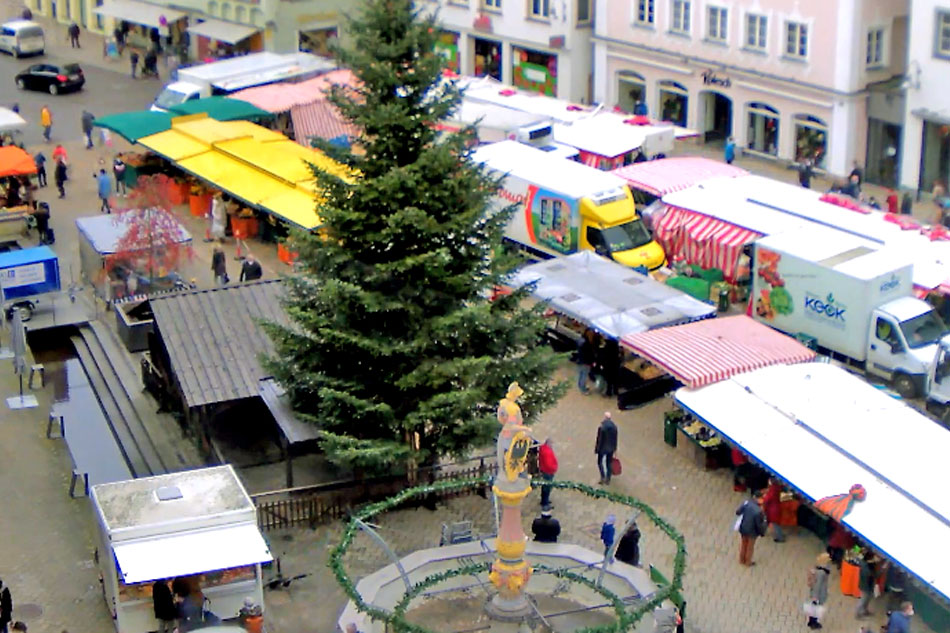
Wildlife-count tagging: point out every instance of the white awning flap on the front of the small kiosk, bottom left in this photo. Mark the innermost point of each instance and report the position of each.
(187, 553)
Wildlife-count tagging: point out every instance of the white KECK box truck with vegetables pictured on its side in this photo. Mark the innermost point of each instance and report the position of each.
(854, 297)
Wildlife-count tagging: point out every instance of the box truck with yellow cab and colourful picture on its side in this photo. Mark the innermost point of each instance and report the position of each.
(564, 206)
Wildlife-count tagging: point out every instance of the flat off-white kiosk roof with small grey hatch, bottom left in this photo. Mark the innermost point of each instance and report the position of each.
(205, 492)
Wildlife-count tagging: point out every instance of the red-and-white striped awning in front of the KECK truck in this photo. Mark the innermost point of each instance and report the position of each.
(708, 351)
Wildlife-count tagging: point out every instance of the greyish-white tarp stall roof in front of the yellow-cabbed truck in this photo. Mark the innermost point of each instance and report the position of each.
(608, 296)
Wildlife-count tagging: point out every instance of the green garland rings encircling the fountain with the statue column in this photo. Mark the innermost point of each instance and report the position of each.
(626, 619)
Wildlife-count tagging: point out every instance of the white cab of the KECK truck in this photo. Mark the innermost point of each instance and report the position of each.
(903, 342)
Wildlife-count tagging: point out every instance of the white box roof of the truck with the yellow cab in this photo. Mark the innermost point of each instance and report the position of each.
(550, 172)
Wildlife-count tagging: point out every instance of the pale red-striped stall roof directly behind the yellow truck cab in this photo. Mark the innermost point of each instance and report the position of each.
(660, 177)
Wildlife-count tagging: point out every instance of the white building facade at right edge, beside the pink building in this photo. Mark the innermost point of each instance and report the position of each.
(926, 141)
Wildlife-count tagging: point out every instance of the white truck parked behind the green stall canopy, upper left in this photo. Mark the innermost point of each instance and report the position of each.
(230, 75)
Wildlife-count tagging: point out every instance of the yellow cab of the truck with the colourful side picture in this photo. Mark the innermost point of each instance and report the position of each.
(606, 229)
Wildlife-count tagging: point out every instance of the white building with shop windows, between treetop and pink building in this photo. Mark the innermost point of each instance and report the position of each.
(537, 45)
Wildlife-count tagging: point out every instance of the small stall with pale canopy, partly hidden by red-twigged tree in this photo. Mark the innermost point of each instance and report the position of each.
(132, 252)
